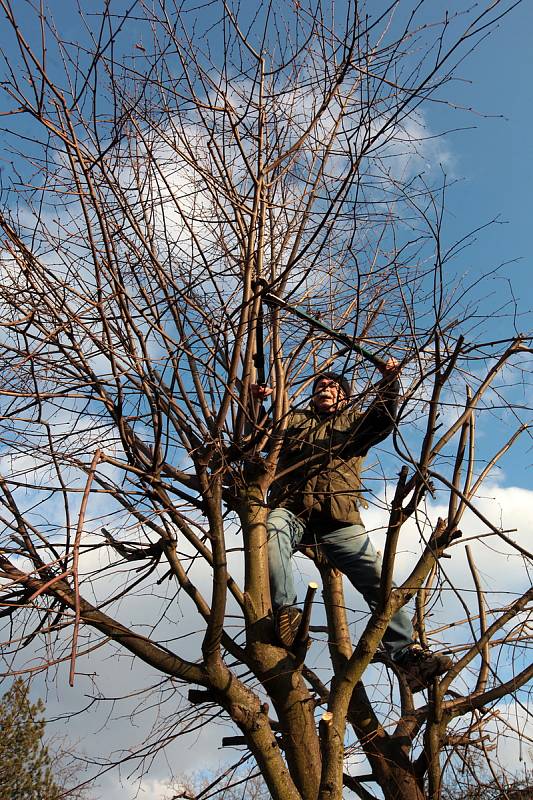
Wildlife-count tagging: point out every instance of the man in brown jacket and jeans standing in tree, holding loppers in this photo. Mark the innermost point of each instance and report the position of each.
(315, 500)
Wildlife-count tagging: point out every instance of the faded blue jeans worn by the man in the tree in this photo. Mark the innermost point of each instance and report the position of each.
(347, 549)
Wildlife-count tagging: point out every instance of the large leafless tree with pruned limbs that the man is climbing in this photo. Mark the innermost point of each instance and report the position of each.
(172, 170)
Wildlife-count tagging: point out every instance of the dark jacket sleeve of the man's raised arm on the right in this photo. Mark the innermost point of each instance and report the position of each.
(378, 420)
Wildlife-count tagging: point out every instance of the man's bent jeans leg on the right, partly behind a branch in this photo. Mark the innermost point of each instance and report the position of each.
(351, 551)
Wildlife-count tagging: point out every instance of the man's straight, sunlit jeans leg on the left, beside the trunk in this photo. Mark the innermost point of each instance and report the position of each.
(285, 532)
